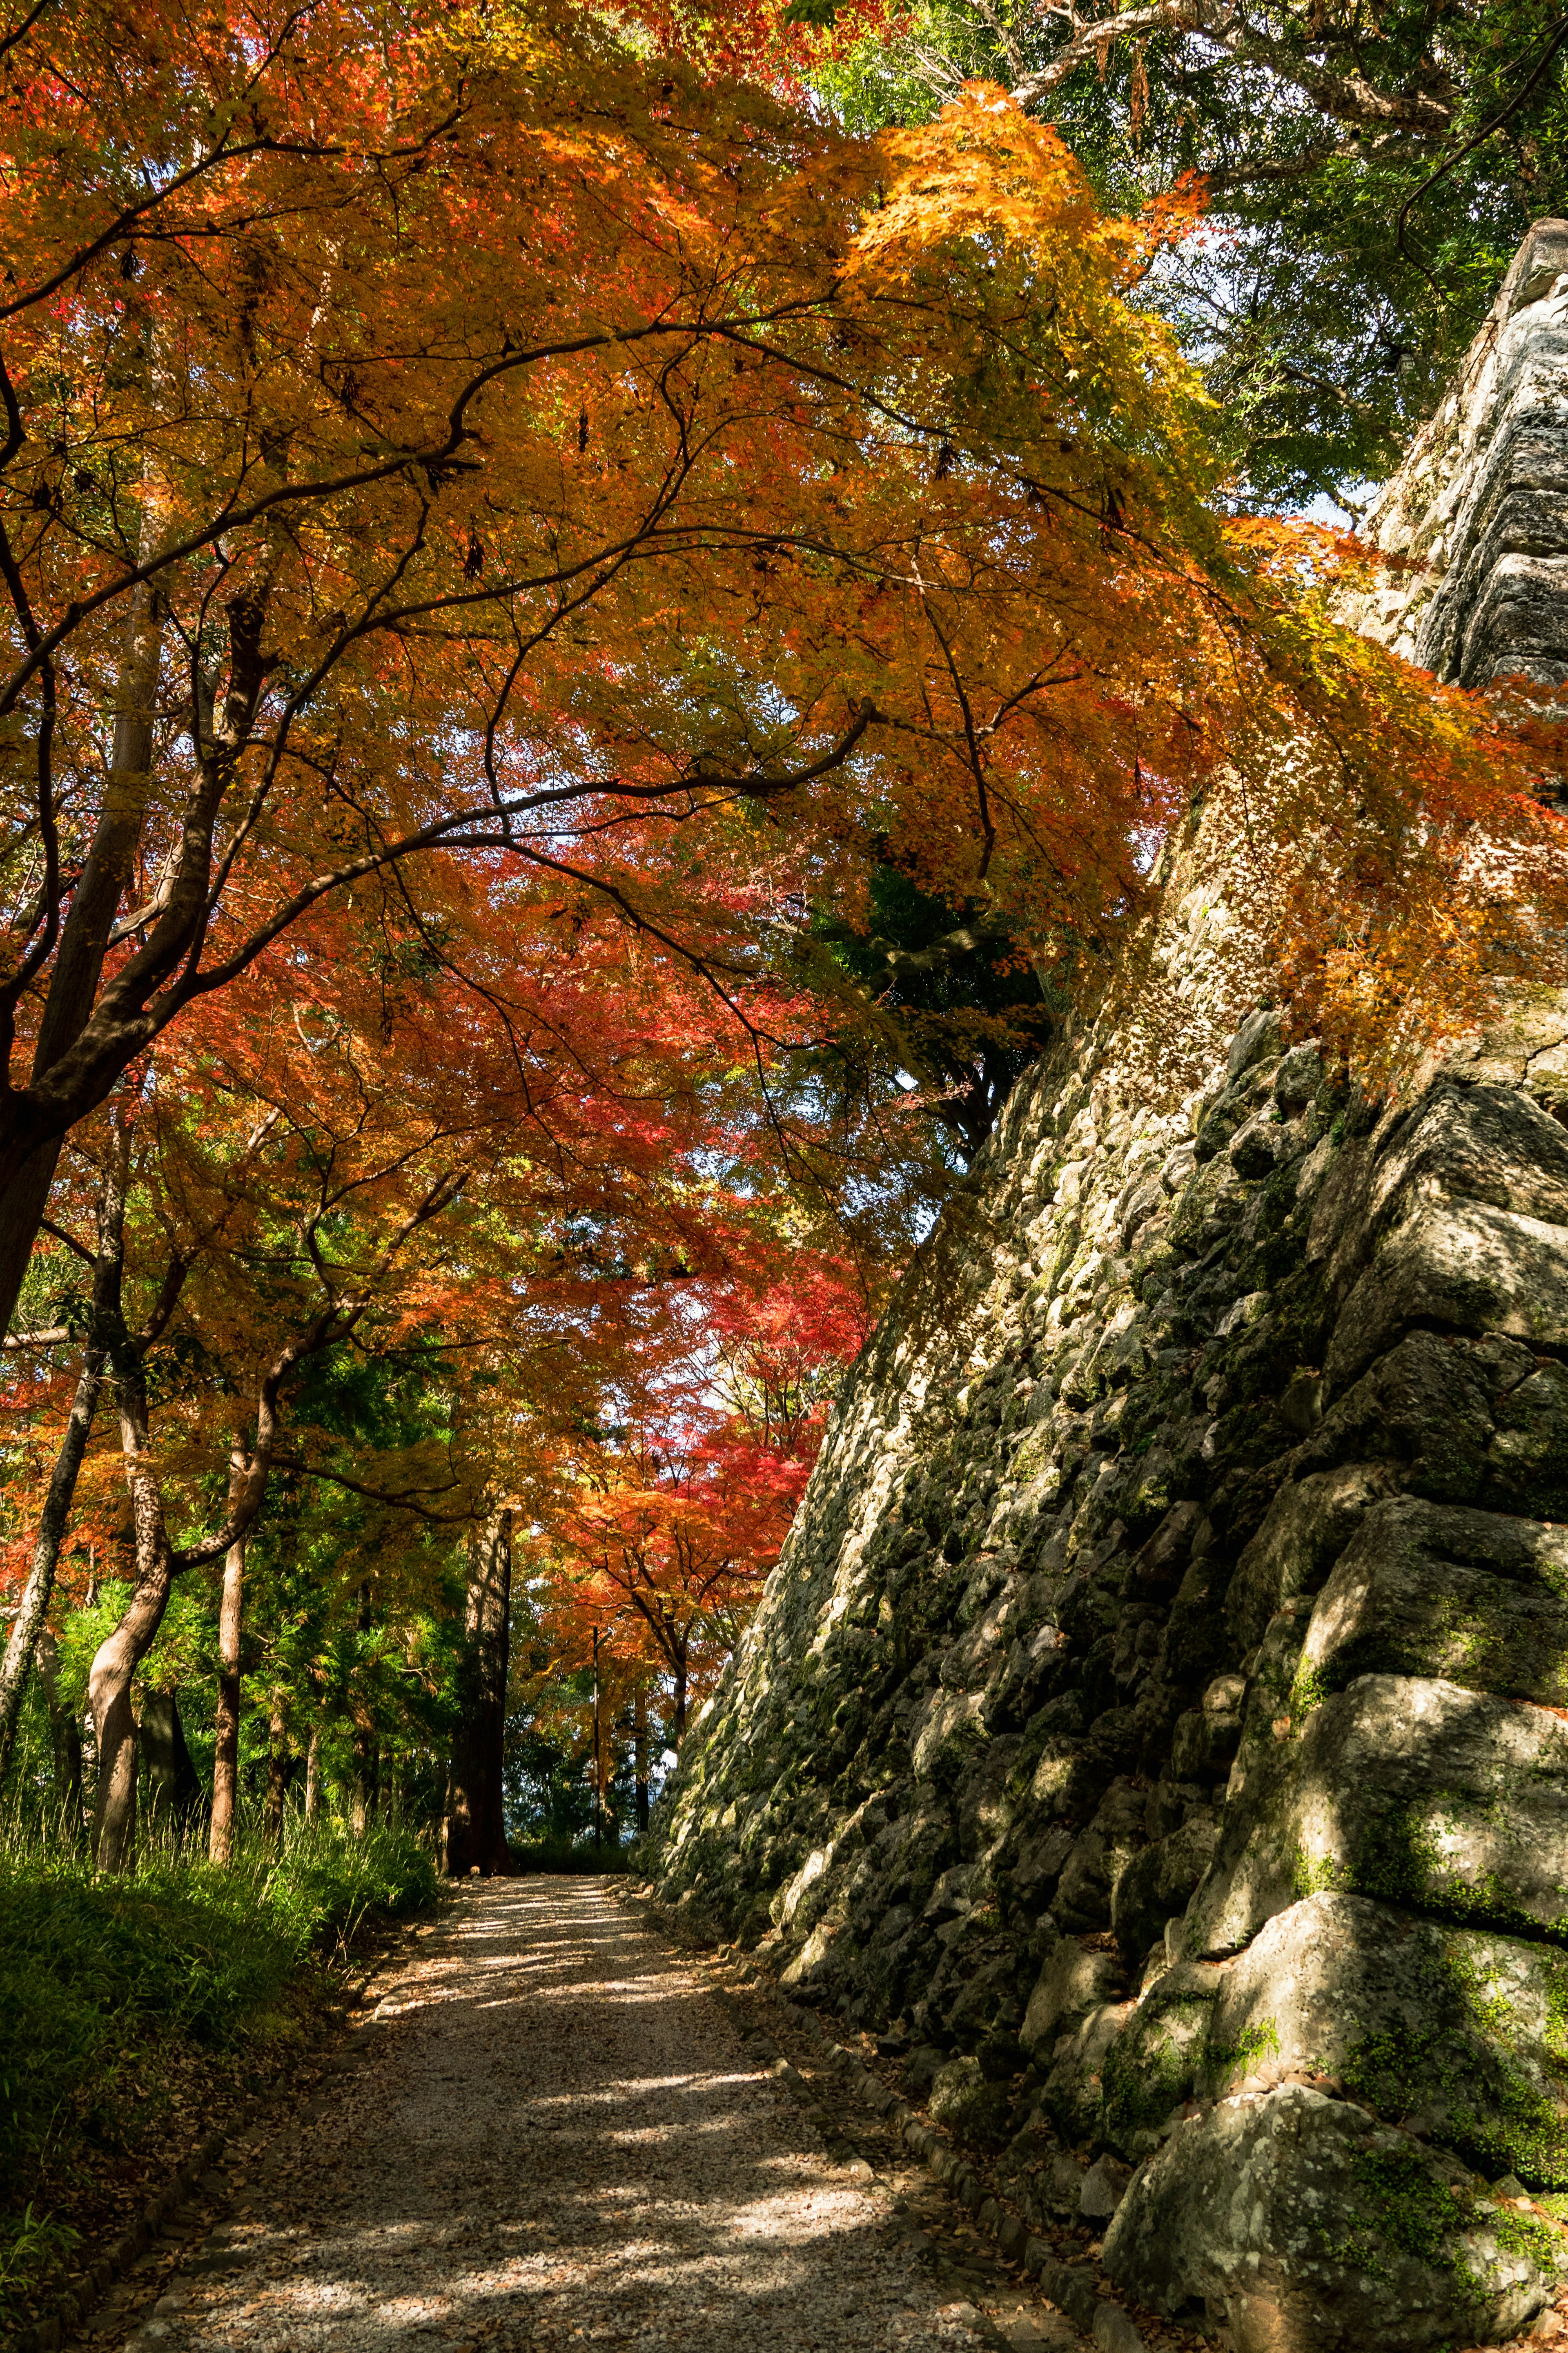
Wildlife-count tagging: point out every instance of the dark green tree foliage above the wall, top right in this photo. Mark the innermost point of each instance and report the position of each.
(1325, 335)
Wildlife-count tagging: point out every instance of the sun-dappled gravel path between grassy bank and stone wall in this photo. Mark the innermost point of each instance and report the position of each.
(558, 2135)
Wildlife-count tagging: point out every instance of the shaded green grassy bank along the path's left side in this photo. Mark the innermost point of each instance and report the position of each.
(128, 2008)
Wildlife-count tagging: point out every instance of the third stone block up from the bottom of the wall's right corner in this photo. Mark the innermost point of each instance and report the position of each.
(1405, 1789)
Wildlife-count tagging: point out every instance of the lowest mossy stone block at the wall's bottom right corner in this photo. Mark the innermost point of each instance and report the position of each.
(1313, 2229)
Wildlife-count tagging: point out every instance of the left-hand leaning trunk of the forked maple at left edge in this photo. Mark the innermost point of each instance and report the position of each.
(95, 902)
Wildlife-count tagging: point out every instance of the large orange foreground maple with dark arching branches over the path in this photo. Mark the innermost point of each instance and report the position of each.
(793, 488)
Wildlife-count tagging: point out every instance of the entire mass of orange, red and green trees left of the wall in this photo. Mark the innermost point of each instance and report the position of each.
(579, 641)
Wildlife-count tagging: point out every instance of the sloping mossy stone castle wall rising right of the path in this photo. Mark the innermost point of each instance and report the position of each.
(1160, 1712)
